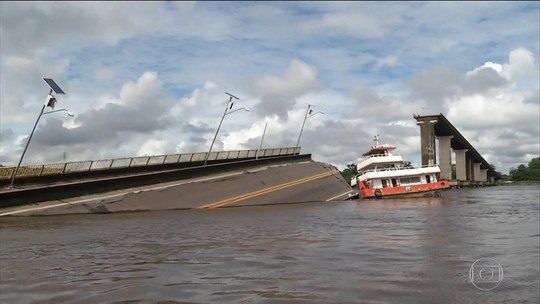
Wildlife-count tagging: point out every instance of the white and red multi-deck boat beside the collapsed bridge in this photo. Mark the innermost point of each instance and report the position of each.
(382, 174)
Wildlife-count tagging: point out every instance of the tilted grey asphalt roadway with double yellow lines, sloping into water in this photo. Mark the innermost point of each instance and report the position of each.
(295, 182)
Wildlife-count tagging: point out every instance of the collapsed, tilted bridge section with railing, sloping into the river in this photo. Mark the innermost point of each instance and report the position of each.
(170, 182)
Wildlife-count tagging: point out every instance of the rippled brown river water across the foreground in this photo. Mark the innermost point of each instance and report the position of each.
(384, 251)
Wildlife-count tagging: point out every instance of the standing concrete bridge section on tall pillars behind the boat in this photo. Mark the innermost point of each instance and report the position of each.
(471, 168)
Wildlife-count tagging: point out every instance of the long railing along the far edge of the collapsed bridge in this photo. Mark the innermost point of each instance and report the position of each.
(142, 161)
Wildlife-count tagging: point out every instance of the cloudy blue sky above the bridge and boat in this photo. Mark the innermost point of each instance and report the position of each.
(149, 78)
